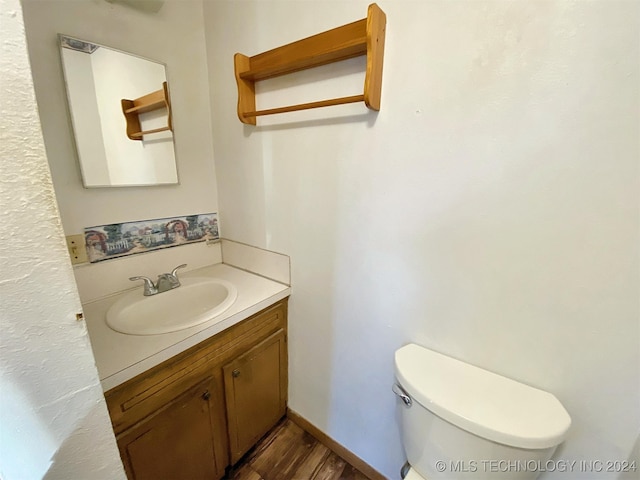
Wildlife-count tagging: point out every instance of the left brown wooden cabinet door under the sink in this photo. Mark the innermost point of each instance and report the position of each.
(178, 441)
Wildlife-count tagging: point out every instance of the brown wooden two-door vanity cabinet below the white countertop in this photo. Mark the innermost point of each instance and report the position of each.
(197, 413)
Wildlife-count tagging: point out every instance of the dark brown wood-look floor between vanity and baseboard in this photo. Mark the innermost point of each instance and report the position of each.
(290, 453)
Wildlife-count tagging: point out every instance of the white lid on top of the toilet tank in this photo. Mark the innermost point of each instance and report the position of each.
(483, 403)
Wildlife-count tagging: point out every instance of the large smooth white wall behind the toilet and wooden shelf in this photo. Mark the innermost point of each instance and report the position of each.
(488, 211)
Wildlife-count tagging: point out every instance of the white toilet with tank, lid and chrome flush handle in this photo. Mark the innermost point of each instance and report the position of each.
(463, 422)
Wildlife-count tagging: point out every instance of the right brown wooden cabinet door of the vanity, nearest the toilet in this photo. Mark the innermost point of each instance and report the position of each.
(256, 391)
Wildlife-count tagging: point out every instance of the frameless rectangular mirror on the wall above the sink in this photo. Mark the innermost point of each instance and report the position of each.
(121, 116)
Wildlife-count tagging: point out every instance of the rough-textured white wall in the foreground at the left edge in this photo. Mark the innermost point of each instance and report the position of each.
(54, 419)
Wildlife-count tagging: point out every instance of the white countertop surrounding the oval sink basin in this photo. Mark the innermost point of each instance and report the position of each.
(120, 357)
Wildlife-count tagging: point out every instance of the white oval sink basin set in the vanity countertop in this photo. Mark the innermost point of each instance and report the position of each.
(196, 301)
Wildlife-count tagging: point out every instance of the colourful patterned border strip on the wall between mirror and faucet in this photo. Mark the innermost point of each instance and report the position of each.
(120, 239)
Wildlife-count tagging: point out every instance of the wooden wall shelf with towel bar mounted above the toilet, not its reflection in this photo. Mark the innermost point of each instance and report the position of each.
(364, 37)
